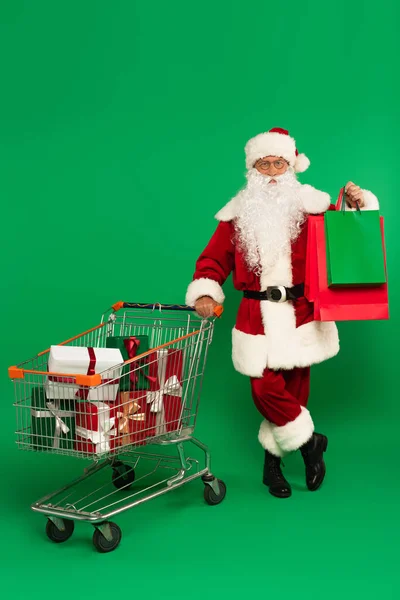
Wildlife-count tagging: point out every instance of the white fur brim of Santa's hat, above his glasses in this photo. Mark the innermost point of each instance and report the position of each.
(270, 144)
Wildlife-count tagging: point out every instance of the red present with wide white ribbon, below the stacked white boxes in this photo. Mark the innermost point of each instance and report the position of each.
(95, 427)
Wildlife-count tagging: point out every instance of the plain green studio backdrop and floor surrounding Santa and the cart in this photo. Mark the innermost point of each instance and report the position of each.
(122, 128)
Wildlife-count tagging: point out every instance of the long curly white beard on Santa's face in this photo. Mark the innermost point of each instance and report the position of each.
(269, 218)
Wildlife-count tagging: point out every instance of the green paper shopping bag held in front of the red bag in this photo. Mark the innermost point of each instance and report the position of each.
(354, 246)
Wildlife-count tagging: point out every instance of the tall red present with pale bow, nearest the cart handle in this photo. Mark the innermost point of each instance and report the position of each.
(165, 395)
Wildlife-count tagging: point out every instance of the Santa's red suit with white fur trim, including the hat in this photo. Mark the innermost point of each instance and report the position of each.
(273, 343)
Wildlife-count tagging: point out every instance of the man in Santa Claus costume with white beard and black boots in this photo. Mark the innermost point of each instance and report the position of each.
(261, 237)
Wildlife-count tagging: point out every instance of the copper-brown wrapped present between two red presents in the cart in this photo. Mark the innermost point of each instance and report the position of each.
(134, 420)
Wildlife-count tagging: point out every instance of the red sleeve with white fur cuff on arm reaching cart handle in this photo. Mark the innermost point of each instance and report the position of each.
(213, 266)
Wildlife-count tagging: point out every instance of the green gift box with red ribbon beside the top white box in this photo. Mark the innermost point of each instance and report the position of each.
(135, 375)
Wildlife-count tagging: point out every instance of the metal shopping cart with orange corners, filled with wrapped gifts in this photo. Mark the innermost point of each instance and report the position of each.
(79, 420)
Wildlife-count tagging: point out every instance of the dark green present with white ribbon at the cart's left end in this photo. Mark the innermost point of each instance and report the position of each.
(52, 421)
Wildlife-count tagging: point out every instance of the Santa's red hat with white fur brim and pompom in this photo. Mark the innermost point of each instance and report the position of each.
(275, 142)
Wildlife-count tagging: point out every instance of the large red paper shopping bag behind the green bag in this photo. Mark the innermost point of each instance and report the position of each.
(341, 304)
